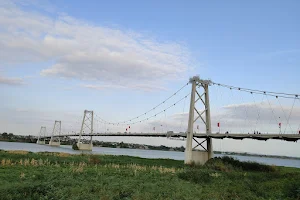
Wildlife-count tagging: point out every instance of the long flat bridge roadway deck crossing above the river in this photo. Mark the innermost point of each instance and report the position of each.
(237, 136)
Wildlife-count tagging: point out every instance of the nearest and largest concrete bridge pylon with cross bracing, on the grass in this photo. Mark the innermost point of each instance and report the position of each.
(199, 94)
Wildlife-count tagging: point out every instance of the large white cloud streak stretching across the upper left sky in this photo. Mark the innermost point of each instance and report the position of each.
(84, 51)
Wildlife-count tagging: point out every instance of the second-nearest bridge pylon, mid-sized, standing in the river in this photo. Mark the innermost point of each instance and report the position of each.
(87, 127)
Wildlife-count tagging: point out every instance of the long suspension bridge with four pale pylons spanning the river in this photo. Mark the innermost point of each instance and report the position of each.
(199, 132)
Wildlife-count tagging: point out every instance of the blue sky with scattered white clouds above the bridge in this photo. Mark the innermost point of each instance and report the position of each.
(122, 58)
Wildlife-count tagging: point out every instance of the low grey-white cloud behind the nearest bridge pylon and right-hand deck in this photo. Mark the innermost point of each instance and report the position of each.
(237, 118)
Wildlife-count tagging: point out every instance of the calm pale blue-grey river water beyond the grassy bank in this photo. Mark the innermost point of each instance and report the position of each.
(139, 153)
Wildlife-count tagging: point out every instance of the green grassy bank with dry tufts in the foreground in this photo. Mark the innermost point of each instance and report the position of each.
(25, 175)
